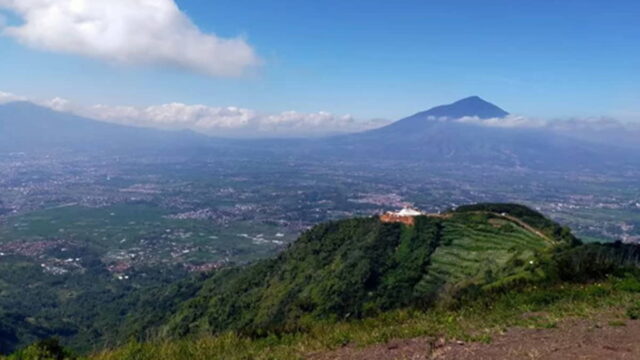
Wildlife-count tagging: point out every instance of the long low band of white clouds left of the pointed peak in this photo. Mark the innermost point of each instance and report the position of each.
(217, 121)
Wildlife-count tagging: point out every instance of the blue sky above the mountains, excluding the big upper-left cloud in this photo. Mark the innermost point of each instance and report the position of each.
(374, 59)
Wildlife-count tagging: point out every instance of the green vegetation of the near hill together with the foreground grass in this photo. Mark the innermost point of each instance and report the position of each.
(361, 281)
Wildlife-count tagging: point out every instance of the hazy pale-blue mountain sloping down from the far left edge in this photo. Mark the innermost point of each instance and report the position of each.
(25, 126)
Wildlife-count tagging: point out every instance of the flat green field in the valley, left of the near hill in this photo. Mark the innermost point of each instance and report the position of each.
(145, 228)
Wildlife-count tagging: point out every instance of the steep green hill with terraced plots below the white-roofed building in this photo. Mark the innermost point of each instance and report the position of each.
(361, 267)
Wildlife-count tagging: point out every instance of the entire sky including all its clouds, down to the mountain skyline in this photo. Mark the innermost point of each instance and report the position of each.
(236, 68)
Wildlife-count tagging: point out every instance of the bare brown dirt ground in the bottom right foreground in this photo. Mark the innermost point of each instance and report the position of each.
(572, 339)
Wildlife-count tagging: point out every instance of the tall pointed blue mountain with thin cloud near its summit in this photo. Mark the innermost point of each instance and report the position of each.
(440, 136)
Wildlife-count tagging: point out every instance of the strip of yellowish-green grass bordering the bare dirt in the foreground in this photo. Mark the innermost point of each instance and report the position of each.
(536, 307)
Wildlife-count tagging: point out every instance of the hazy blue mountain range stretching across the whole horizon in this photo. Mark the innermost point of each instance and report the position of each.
(437, 135)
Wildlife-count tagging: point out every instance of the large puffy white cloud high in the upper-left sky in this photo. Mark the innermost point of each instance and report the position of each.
(128, 32)
